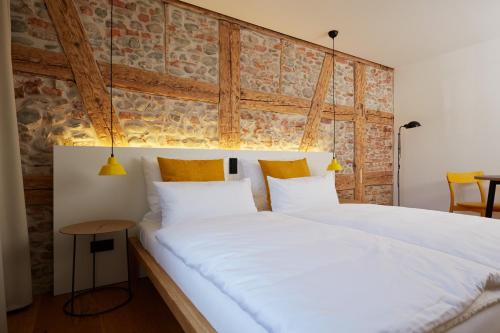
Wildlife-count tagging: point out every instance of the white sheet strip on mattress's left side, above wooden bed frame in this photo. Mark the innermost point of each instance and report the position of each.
(222, 312)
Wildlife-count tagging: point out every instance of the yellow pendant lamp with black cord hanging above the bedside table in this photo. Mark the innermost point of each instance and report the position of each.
(112, 167)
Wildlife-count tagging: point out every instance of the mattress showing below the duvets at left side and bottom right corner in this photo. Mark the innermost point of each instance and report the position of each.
(225, 315)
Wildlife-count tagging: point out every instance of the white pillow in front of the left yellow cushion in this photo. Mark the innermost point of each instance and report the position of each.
(188, 201)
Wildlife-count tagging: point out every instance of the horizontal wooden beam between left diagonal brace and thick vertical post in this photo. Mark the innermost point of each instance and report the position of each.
(161, 84)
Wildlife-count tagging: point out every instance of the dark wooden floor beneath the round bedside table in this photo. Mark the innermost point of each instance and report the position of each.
(145, 313)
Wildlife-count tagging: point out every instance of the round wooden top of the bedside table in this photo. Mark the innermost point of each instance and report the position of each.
(97, 227)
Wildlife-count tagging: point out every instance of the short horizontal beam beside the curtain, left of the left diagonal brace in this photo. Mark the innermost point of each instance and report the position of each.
(32, 60)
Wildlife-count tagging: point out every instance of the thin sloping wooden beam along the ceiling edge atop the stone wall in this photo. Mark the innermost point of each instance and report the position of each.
(275, 34)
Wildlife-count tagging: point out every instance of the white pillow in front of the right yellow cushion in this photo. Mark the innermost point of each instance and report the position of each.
(304, 193)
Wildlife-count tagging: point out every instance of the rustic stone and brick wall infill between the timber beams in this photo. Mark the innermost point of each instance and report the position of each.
(163, 38)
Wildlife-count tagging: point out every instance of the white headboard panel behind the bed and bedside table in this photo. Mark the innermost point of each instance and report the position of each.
(81, 195)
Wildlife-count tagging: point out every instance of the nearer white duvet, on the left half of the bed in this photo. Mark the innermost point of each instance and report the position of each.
(293, 275)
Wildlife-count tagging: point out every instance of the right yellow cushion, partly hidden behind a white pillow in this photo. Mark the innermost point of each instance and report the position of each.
(283, 170)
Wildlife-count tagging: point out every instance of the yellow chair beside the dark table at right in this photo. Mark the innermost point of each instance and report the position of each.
(467, 178)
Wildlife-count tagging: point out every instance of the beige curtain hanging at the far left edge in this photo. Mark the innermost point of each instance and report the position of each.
(13, 225)
